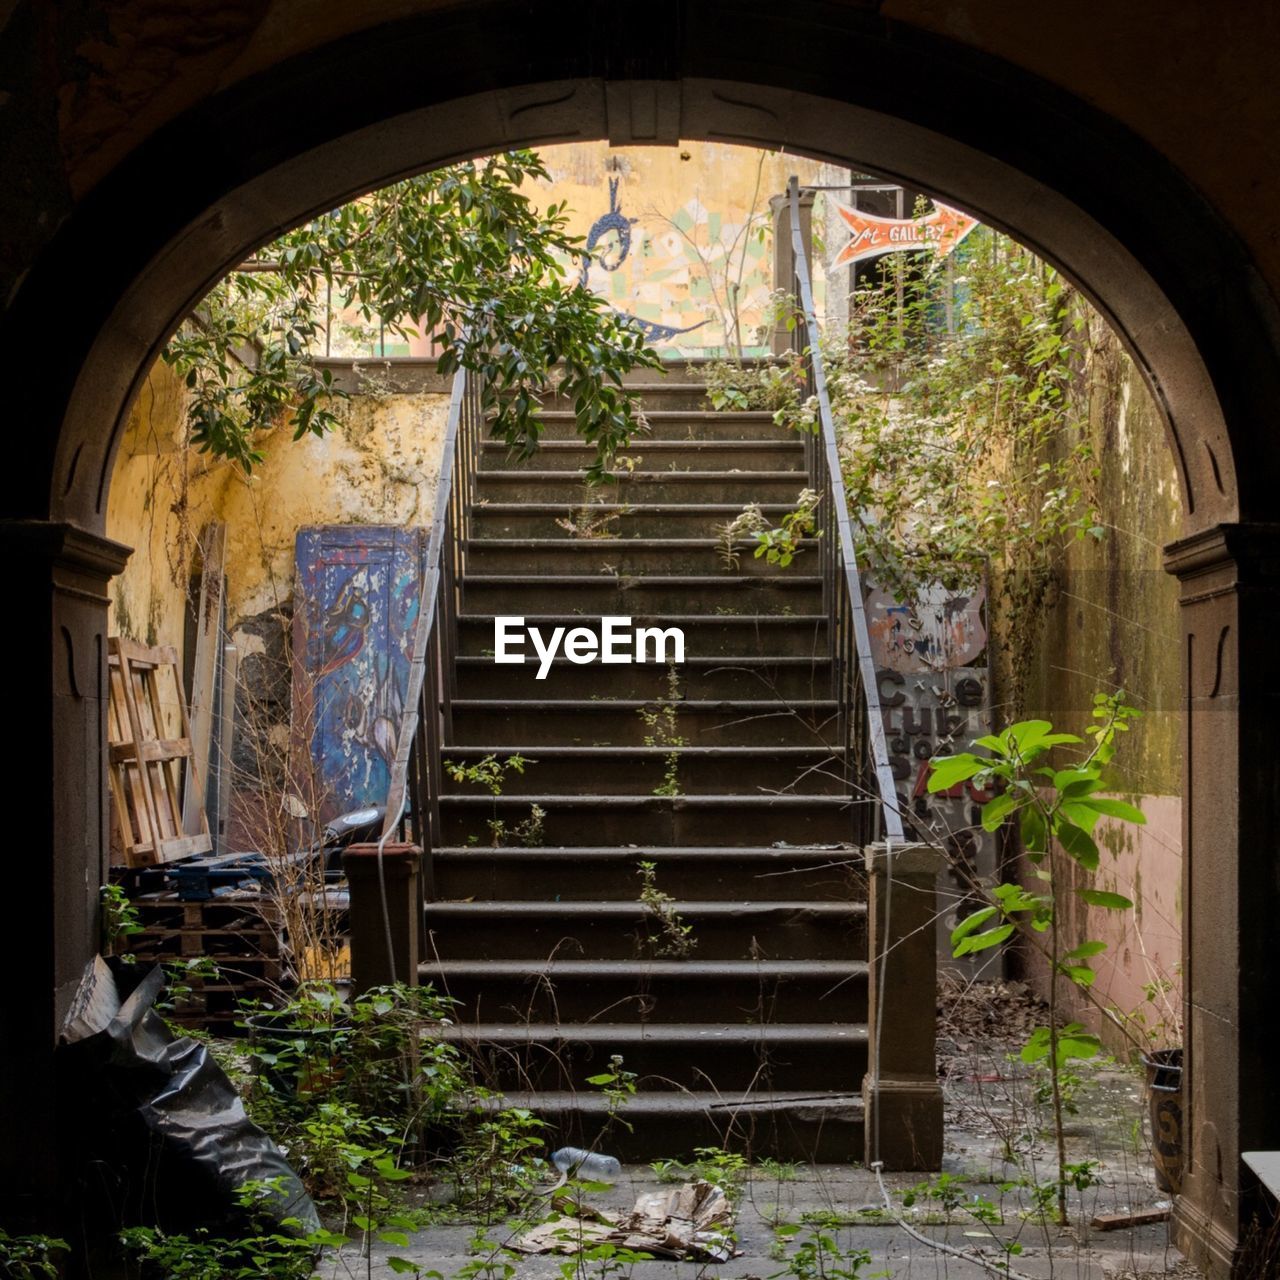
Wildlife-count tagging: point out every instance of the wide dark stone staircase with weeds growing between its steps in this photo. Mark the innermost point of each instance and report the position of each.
(757, 1037)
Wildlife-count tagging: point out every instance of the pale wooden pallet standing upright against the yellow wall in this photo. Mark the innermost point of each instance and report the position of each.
(145, 765)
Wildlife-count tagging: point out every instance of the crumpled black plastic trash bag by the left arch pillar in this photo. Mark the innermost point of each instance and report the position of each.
(162, 1117)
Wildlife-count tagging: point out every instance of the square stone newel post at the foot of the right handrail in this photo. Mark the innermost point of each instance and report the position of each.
(904, 1123)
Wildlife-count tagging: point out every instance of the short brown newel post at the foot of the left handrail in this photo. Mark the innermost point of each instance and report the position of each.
(403, 870)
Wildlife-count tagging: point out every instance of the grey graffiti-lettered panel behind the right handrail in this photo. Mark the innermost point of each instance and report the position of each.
(935, 688)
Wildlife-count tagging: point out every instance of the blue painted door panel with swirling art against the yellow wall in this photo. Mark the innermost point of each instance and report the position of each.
(356, 602)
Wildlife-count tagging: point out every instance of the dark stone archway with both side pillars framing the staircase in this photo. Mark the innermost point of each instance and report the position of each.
(1027, 158)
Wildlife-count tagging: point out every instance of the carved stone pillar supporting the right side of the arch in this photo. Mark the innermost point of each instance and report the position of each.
(1231, 610)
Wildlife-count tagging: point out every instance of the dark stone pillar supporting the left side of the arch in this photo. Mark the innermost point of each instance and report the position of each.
(56, 811)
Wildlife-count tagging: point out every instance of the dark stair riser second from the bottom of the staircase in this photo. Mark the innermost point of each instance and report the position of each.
(819, 1064)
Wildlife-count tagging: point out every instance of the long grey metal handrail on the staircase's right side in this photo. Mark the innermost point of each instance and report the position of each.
(861, 719)
